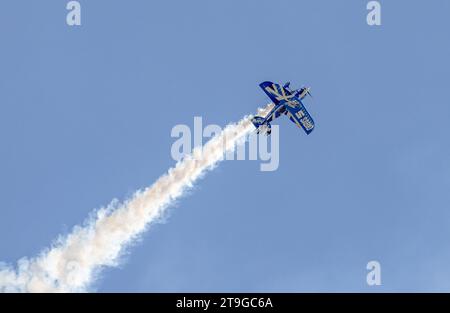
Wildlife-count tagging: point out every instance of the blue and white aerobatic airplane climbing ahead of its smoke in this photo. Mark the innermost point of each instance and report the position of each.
(287, 102)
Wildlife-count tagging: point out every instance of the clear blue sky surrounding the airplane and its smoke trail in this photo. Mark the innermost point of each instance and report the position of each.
(86, 114)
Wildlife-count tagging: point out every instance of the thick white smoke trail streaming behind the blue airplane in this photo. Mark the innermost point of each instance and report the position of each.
(72, 262)
